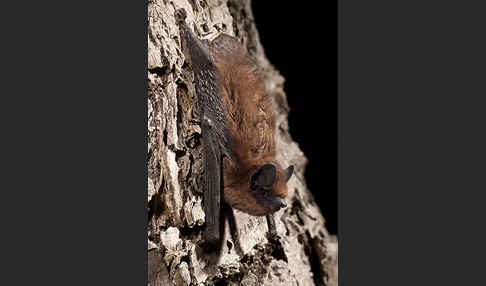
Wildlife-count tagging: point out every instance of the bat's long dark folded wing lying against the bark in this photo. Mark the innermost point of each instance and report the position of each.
(213, 127)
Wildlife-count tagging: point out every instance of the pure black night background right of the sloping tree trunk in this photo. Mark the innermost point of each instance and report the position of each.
(301, 42)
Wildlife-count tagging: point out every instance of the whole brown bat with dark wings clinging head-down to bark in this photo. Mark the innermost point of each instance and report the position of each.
(238, 130)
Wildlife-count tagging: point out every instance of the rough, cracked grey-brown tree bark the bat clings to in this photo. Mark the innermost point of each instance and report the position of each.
(305, 253)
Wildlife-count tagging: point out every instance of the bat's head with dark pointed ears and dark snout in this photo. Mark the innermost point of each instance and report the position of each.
(268, 185)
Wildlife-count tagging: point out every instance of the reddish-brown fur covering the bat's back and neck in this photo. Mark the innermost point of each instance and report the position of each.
(251, 123)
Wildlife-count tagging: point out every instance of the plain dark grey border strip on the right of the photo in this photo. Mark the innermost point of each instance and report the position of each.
(412, 142)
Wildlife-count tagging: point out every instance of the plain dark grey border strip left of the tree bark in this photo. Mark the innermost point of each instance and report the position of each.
(74, 109)
